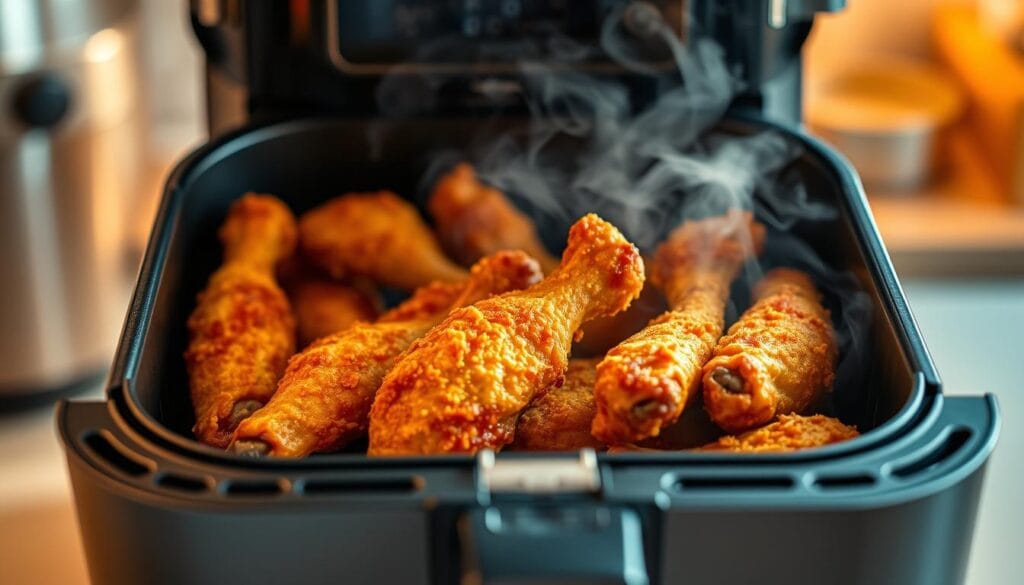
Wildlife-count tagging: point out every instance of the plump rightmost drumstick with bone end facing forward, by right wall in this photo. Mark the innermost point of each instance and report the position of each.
(779, 358)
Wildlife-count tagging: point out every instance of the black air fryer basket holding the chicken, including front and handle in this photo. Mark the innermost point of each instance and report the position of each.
(897, 506)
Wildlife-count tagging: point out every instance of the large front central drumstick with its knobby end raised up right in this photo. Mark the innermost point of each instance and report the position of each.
(462, 387)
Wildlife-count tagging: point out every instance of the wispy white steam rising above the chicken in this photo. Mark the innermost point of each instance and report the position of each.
(646, 169)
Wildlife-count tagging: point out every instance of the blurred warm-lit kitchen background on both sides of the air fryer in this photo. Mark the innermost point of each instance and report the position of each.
(100, 99)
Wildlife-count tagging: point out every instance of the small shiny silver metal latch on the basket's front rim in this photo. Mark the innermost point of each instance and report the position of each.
(539, 476)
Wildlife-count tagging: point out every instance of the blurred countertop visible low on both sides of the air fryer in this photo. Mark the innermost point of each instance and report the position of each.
(975, 330)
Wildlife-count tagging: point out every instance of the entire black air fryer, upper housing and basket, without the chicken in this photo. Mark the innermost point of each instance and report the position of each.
(895, 506)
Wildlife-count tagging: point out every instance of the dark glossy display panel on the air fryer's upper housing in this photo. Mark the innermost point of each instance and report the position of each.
(495, 35)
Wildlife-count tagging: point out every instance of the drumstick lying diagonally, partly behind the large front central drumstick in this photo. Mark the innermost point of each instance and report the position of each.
(323, 403)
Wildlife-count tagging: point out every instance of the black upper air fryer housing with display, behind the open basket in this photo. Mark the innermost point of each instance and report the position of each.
(271, 60)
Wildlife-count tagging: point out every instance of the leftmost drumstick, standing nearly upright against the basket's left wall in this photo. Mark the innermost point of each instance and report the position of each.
(242, 330)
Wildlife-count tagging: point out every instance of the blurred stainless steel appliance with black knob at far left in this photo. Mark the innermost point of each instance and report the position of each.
(69, 148)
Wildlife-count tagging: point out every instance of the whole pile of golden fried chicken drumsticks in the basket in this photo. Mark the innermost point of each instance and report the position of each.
(480, 358)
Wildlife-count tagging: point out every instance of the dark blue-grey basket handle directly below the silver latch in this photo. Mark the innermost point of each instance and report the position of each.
(541, 546)
